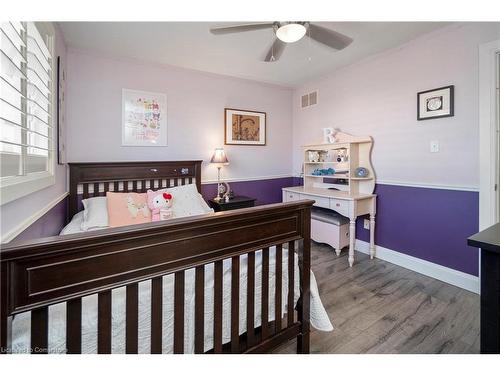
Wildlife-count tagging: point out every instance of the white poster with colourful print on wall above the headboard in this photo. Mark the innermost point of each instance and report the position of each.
(144, 118)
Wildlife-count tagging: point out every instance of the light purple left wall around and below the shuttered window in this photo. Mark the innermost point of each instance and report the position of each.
(14, 213)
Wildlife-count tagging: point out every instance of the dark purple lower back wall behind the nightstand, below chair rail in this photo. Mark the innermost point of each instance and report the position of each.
(266, 191)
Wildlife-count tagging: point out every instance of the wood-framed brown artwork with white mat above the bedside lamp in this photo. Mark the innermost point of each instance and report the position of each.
(244, 127)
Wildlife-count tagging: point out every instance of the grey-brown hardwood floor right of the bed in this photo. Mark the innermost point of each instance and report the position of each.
(378, 307)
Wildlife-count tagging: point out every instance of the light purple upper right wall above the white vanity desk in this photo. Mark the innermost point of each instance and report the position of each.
(378, 97)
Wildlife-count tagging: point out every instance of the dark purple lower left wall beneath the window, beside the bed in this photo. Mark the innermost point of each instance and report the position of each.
(48, 225)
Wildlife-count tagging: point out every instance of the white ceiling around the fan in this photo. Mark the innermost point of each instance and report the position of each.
(191, 45)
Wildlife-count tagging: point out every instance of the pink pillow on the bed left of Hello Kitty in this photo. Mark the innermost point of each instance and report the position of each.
(127, 209)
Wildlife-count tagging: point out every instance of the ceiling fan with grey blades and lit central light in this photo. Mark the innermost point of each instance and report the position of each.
(290, 32)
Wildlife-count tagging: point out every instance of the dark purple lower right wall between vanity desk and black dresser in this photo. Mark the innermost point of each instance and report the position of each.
(430, 224)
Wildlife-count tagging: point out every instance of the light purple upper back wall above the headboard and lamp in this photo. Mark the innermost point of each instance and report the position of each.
(195, 115)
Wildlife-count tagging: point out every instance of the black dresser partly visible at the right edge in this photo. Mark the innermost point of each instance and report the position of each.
(488, 241)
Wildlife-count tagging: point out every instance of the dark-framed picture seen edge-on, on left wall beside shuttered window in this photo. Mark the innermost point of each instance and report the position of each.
(61, 112)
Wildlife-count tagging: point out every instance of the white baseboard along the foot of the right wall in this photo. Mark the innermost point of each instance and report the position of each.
(448, 275)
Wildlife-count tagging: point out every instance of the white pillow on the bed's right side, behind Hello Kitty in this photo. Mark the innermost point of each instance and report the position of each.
(187, 201)
